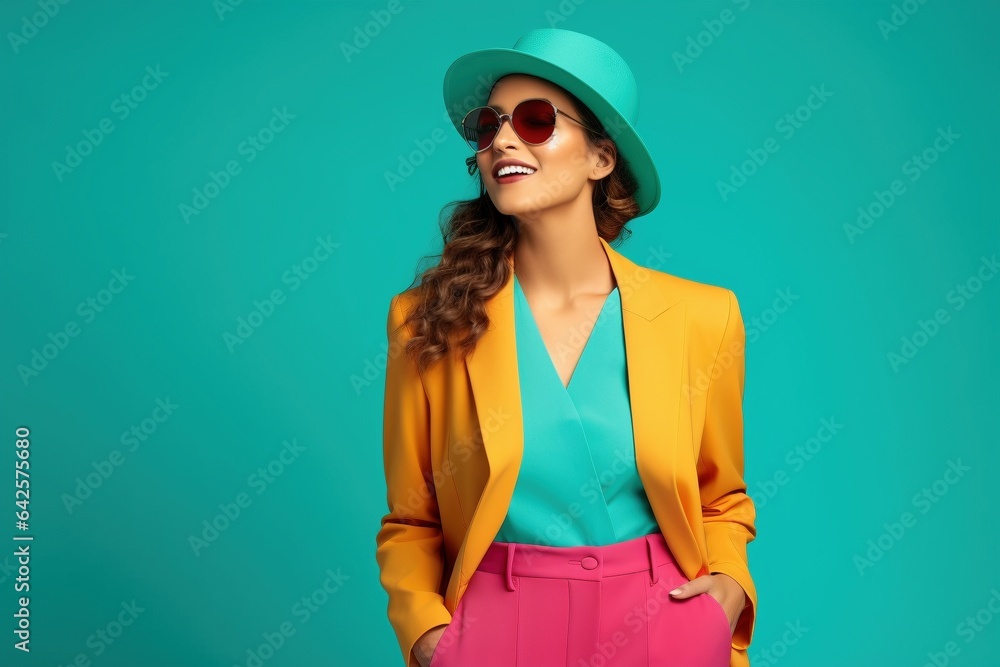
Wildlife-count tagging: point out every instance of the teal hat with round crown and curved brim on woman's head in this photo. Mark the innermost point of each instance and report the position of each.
(586, 67)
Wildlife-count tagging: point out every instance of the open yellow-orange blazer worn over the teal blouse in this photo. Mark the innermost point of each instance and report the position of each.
(453, 440)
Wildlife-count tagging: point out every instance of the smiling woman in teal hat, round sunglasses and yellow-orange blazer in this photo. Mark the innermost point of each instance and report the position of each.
(563, 433)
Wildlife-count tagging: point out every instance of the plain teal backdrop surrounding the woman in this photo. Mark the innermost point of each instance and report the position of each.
(311, 372)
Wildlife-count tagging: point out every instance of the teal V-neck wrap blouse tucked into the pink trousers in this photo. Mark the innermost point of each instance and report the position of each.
(578, 483)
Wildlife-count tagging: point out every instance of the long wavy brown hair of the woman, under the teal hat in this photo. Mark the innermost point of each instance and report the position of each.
(450, 312)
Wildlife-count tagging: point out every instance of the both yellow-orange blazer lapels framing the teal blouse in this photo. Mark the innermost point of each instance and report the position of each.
(653, 322)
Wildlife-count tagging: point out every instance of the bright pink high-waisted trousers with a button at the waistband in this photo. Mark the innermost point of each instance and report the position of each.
(585, 606)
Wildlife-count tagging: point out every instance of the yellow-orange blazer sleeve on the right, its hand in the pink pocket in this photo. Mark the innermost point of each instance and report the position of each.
(728, 512)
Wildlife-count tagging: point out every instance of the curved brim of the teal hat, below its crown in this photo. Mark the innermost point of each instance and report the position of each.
(468, 82)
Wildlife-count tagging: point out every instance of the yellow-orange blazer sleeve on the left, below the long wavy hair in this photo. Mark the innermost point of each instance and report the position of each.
(409, 542)
